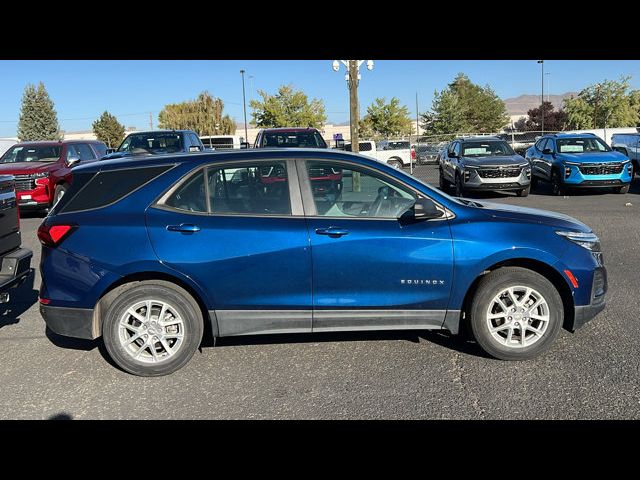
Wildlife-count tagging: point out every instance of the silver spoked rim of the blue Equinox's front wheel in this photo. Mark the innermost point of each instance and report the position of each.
(518, 317)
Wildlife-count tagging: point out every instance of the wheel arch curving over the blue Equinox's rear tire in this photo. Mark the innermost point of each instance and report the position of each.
(210, 321)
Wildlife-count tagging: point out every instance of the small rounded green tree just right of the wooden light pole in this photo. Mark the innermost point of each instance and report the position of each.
(385, 120)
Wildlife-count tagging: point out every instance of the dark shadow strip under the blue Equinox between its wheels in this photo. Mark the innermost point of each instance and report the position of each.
(459, 343)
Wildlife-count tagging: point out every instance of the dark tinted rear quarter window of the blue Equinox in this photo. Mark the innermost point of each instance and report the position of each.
(105, 188)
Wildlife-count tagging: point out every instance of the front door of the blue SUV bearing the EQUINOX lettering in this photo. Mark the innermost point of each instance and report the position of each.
(374, 266)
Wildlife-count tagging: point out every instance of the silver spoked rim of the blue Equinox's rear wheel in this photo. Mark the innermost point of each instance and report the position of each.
(151, 331)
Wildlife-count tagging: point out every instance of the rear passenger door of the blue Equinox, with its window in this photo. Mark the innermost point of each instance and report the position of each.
(256, 269)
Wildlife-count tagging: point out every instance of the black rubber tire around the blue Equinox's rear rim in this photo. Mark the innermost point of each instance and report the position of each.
(124, 297)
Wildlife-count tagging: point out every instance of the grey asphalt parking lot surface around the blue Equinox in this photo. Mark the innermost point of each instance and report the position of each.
(591, 374)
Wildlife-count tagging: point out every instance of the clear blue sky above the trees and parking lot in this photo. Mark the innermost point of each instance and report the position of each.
(83, 89)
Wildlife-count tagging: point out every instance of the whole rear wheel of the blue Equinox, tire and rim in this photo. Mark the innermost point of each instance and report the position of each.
(151, 328)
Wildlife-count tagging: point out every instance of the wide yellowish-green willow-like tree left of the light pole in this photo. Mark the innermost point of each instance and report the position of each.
(204, 115)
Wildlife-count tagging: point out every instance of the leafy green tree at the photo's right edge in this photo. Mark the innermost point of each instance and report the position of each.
(610, 103)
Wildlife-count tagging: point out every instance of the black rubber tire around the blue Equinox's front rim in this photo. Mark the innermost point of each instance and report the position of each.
(494, 283)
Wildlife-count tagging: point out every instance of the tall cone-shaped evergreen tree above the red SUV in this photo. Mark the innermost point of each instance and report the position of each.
(38, 118)
